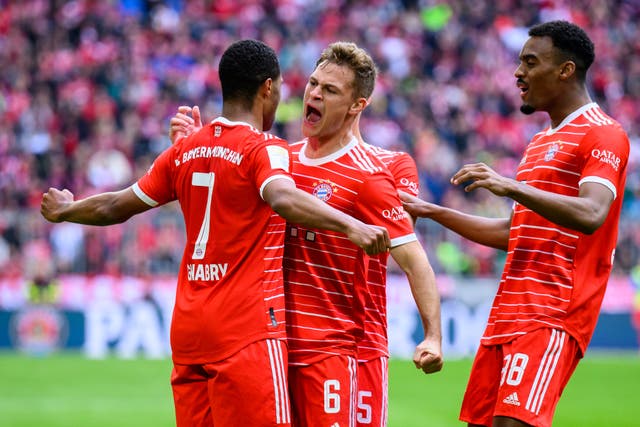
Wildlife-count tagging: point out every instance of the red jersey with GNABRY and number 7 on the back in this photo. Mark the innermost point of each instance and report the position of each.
(230, 288)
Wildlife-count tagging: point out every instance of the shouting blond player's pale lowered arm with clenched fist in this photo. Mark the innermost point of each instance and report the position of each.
(413, 260)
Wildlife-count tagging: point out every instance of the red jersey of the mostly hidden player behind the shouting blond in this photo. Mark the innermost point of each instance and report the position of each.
(375, 344)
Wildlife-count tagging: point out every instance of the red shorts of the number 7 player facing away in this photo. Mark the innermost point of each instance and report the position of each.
(246, 389)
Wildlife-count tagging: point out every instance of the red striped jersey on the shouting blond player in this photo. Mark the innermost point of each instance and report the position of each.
(326, 274)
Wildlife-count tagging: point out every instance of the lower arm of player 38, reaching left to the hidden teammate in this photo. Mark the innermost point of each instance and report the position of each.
(493, 232)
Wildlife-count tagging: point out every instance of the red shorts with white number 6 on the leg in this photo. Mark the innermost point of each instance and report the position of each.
(324, 393)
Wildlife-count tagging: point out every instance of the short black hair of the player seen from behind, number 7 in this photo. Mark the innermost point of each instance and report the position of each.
(244, 66)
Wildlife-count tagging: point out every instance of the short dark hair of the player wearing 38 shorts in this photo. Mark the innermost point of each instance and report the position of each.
(571, 41)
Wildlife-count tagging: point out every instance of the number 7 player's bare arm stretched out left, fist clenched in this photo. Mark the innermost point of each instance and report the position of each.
(101, 209)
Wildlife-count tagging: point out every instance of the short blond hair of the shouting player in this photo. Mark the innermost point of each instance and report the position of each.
(358, 60)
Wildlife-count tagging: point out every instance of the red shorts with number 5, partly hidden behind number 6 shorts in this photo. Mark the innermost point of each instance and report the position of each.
(373, 398)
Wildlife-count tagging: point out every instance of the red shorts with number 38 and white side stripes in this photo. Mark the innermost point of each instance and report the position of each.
(522, 379)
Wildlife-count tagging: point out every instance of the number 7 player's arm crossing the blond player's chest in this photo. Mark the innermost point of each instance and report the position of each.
(299, 207)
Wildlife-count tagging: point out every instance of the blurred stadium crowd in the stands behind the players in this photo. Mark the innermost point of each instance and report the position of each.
(87, 89)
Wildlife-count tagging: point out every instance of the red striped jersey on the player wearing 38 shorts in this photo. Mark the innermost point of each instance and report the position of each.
(554, 276)
